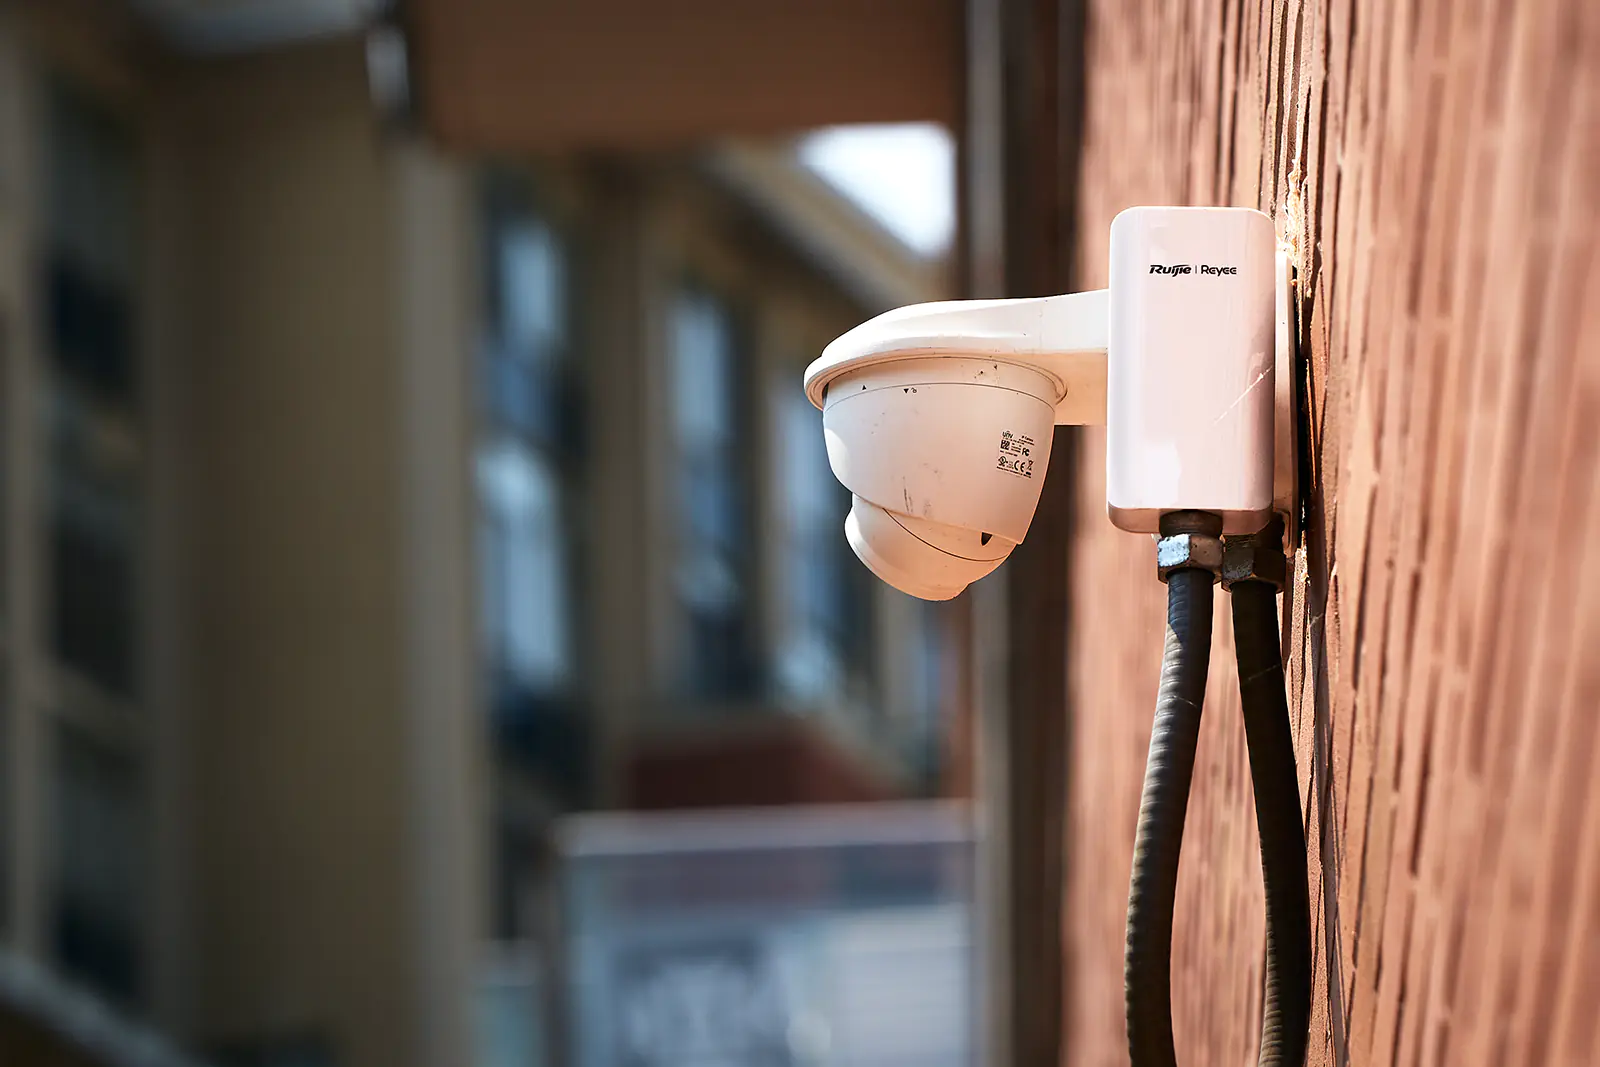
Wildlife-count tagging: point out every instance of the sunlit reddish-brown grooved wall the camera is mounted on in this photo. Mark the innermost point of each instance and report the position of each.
(1436, 167)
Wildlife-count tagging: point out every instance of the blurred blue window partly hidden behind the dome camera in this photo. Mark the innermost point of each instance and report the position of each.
(828, 642)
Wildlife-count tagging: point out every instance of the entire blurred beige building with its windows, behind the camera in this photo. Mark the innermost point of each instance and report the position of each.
(369, 508)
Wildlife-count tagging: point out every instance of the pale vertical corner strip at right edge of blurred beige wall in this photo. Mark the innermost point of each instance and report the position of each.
(436, 286)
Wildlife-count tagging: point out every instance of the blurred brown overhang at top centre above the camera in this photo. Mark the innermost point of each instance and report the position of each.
(518, 76)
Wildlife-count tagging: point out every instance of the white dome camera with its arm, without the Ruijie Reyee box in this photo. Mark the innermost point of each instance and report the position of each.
(938, 420)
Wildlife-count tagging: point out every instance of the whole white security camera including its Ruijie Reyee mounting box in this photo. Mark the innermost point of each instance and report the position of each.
(938, 417)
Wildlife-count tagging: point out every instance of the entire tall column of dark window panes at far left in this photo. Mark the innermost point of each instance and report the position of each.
(94, 516)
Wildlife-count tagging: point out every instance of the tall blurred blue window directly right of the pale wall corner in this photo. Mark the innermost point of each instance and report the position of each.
(530, 462)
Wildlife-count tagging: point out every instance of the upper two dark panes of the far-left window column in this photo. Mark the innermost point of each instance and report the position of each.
(92, 420)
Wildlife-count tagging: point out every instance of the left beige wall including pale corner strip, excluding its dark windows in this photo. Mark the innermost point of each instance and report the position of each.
(313, 863)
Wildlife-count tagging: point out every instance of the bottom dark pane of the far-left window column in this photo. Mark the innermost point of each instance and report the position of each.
(98, 887)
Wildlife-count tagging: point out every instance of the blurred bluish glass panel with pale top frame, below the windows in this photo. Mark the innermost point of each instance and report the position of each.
(785, 938)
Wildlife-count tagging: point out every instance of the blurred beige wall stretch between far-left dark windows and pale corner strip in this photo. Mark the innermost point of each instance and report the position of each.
(298, 703)
